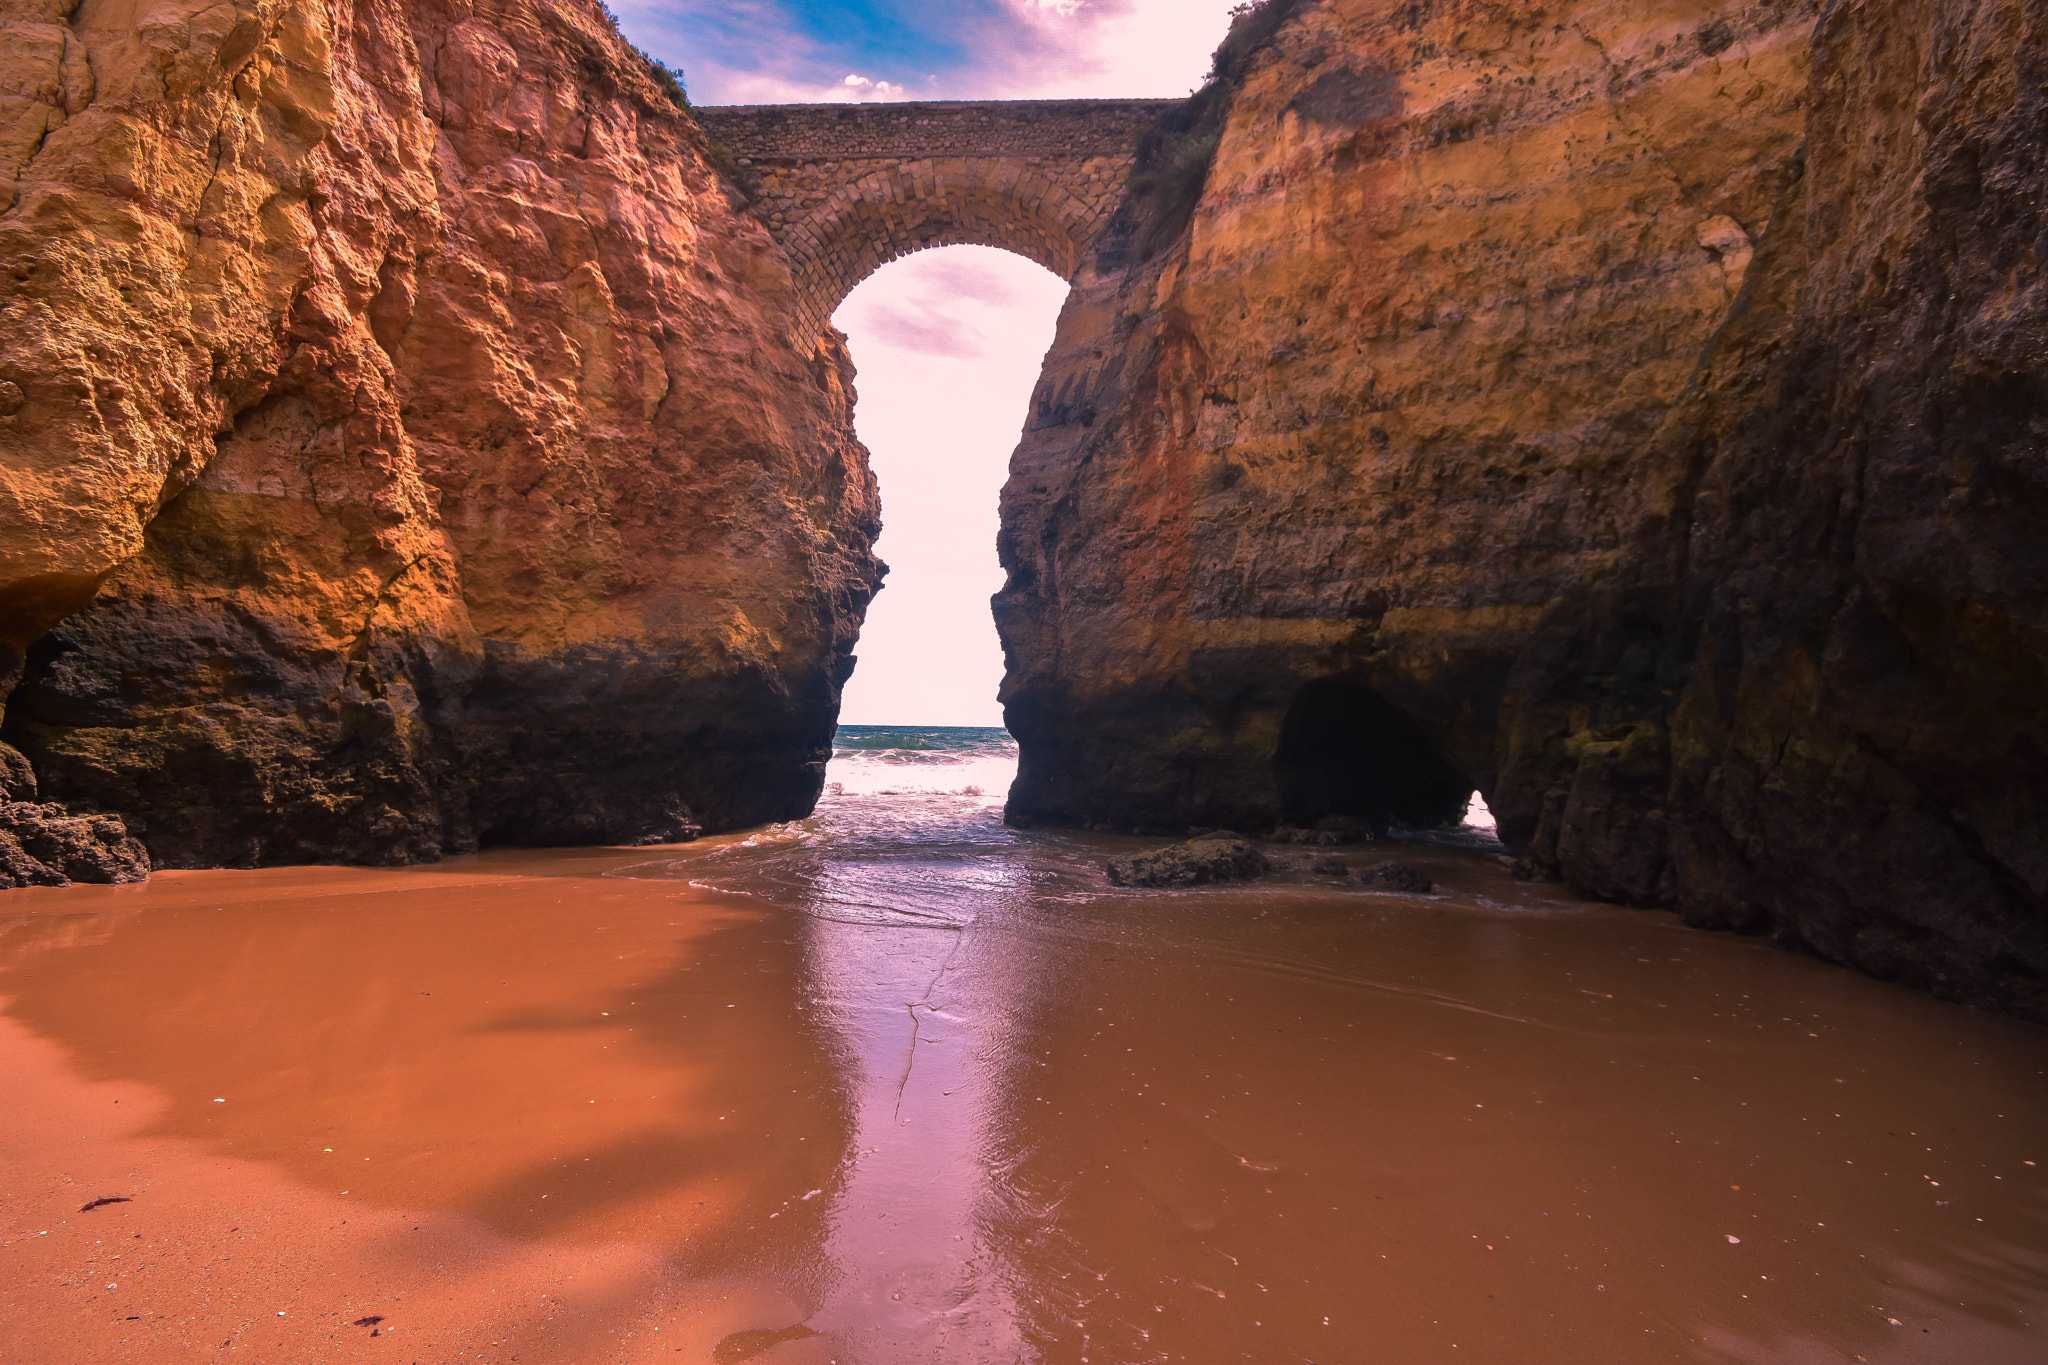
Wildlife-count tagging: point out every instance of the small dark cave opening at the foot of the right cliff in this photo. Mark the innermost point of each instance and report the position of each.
(1349, 754)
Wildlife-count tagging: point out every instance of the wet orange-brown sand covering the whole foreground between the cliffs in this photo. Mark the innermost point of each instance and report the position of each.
(800, 1100)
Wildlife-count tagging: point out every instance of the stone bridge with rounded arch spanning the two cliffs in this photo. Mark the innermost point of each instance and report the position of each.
(851, 187)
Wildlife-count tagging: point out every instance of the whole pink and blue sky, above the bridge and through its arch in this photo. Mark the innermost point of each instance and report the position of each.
(947, 343)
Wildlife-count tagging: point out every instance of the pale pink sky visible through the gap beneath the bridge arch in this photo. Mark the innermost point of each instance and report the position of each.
(947, 345)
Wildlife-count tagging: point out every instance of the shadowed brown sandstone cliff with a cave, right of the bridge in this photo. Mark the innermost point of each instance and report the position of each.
(1631, 412)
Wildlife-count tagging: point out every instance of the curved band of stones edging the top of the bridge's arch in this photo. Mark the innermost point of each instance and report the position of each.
(859, 238)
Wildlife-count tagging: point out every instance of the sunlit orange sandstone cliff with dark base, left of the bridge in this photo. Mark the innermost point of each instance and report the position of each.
(407, 439)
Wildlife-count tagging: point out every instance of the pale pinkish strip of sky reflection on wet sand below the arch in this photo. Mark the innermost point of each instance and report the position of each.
(912, 955)
